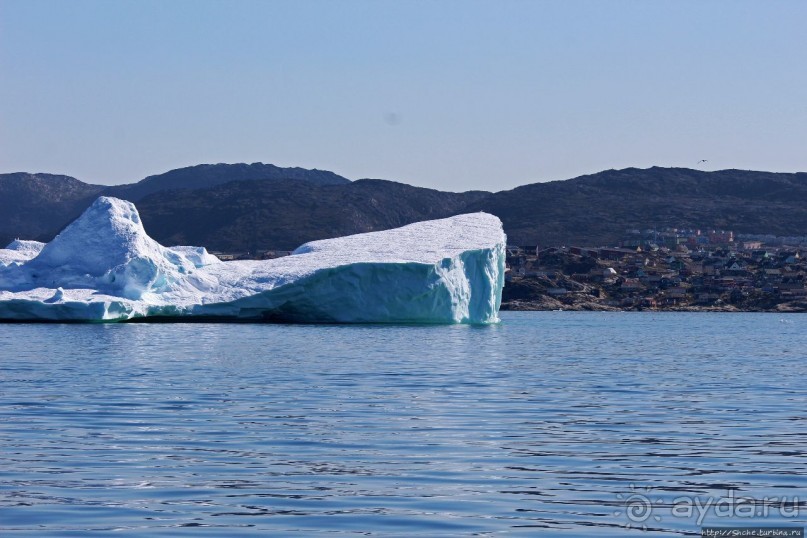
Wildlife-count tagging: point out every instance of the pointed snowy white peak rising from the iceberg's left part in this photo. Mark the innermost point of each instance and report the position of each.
(108, 249)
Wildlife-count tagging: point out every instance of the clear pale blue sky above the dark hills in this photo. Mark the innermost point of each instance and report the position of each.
(453, 95)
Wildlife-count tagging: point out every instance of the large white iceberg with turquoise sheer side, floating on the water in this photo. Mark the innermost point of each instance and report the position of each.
(104, 267)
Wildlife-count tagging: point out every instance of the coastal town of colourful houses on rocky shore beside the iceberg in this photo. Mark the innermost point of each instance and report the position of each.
(670, 269)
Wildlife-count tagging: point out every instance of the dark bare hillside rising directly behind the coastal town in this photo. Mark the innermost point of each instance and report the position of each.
(596, 210)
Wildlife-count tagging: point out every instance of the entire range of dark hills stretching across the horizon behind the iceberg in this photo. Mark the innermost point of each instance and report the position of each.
(261, 206)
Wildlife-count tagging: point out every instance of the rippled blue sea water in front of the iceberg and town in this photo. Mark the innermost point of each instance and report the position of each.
(550, 424)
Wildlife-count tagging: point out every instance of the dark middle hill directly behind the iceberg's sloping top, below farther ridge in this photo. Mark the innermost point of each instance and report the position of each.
(250, 216)
